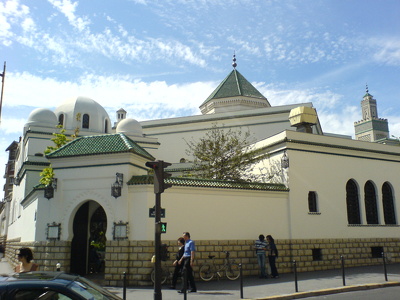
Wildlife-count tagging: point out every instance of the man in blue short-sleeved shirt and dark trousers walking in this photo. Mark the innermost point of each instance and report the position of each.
(188, 262)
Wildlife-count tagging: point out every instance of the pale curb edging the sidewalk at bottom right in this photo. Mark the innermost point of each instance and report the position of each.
(331, 291)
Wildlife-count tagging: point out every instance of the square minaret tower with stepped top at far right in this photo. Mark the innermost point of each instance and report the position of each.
(370, 128)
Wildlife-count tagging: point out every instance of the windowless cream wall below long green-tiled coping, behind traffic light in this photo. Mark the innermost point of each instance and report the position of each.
(209, 213)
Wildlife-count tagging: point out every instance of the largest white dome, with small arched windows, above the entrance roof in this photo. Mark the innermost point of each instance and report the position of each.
(99, 121)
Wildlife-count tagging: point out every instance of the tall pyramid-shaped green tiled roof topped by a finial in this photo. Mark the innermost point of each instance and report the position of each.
(235, 85)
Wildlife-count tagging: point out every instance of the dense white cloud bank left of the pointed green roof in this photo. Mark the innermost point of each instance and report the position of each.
(114, 92)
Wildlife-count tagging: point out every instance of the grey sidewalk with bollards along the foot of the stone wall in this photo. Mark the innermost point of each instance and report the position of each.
(309, 284)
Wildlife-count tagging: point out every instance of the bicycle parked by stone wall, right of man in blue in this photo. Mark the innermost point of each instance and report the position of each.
(209, 270)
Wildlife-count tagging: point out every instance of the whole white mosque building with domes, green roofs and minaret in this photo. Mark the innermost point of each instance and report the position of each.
(337, 196)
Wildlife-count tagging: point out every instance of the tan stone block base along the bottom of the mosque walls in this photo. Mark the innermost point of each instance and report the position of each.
(133, 257)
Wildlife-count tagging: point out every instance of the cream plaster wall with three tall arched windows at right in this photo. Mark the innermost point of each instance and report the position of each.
(315, 169)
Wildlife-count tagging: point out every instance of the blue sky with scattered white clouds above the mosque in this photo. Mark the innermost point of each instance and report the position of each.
(162, 58)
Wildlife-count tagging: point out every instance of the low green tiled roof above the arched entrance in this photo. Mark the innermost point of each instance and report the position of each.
(99, 144)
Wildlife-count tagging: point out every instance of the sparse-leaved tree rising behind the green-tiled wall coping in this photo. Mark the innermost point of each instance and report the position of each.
(225, 155)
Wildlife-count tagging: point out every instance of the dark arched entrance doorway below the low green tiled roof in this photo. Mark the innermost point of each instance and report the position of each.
(89, 229)
